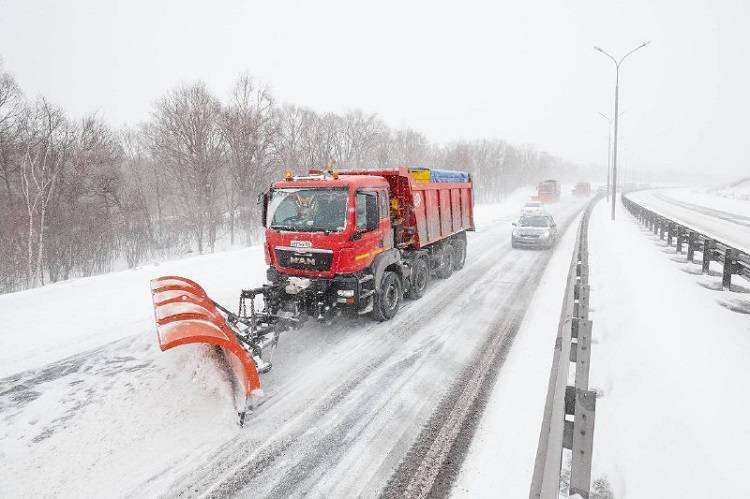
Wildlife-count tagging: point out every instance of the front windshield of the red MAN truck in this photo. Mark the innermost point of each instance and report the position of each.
(308, 210)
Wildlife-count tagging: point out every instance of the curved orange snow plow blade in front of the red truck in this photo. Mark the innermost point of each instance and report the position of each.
(185, 314)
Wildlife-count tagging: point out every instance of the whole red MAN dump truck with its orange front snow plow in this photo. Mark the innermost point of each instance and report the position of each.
(352, 242)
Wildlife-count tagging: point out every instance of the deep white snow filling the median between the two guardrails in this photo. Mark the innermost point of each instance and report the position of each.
(671, 366)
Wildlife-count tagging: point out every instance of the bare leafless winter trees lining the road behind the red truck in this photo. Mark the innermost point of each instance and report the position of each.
(79, 197)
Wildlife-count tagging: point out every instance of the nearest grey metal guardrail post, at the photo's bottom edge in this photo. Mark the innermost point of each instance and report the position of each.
(583, 443)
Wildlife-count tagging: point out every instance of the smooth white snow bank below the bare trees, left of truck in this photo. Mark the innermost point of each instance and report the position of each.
(45, 324)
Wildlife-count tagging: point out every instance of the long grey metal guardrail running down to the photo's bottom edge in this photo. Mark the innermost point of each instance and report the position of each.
(568, 421)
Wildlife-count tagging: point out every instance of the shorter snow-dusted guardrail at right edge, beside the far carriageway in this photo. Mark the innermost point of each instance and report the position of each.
(733, 260)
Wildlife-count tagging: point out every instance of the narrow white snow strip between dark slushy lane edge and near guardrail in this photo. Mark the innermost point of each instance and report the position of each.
(501, 458)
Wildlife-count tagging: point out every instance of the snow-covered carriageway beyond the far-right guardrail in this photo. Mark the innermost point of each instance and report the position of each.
(727, 220)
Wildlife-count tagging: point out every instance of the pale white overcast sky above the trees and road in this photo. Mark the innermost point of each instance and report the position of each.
(524, 71)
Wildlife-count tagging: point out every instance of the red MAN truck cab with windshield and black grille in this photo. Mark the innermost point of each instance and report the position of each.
(321, 226)
